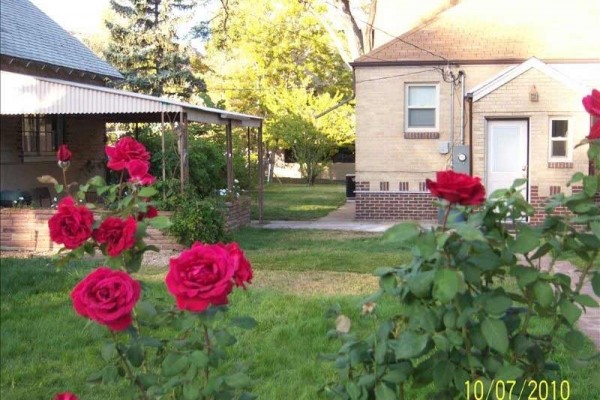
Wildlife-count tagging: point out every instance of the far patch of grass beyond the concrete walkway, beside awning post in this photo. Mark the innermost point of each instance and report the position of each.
(299, 202)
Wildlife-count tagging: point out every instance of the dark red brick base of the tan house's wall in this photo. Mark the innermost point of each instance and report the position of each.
(377, 205)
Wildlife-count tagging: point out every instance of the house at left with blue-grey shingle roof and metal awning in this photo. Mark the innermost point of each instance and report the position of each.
(54, 91)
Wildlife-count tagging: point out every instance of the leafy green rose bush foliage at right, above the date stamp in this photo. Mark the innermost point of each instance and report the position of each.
(470, 296)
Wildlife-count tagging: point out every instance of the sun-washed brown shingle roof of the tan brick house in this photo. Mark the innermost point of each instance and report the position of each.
(500, 30)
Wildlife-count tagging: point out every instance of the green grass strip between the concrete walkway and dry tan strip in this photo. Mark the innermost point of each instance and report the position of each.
(314, 250)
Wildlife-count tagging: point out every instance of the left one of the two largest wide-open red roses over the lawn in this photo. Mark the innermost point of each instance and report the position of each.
(107, 297)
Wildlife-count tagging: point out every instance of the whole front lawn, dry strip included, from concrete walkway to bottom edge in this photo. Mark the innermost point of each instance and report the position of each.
(46, 347)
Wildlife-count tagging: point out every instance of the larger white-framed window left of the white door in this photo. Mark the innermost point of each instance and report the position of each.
(422, 107)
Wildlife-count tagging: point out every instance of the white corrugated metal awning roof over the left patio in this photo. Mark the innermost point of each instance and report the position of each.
(26, 94)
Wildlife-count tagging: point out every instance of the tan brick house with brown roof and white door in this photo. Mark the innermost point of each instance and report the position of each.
(491, 88)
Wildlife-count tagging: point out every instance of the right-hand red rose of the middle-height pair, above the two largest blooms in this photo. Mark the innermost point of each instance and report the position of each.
(117, 233)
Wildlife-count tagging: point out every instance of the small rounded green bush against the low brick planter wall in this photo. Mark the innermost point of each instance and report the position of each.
(199, 219)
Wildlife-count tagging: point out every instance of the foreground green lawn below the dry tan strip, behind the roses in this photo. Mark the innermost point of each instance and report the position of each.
(47, 348)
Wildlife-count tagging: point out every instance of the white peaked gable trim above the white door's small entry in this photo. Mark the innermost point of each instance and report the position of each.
(502, 78)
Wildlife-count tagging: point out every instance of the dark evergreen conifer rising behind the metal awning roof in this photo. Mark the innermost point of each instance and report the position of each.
(145, 46)
